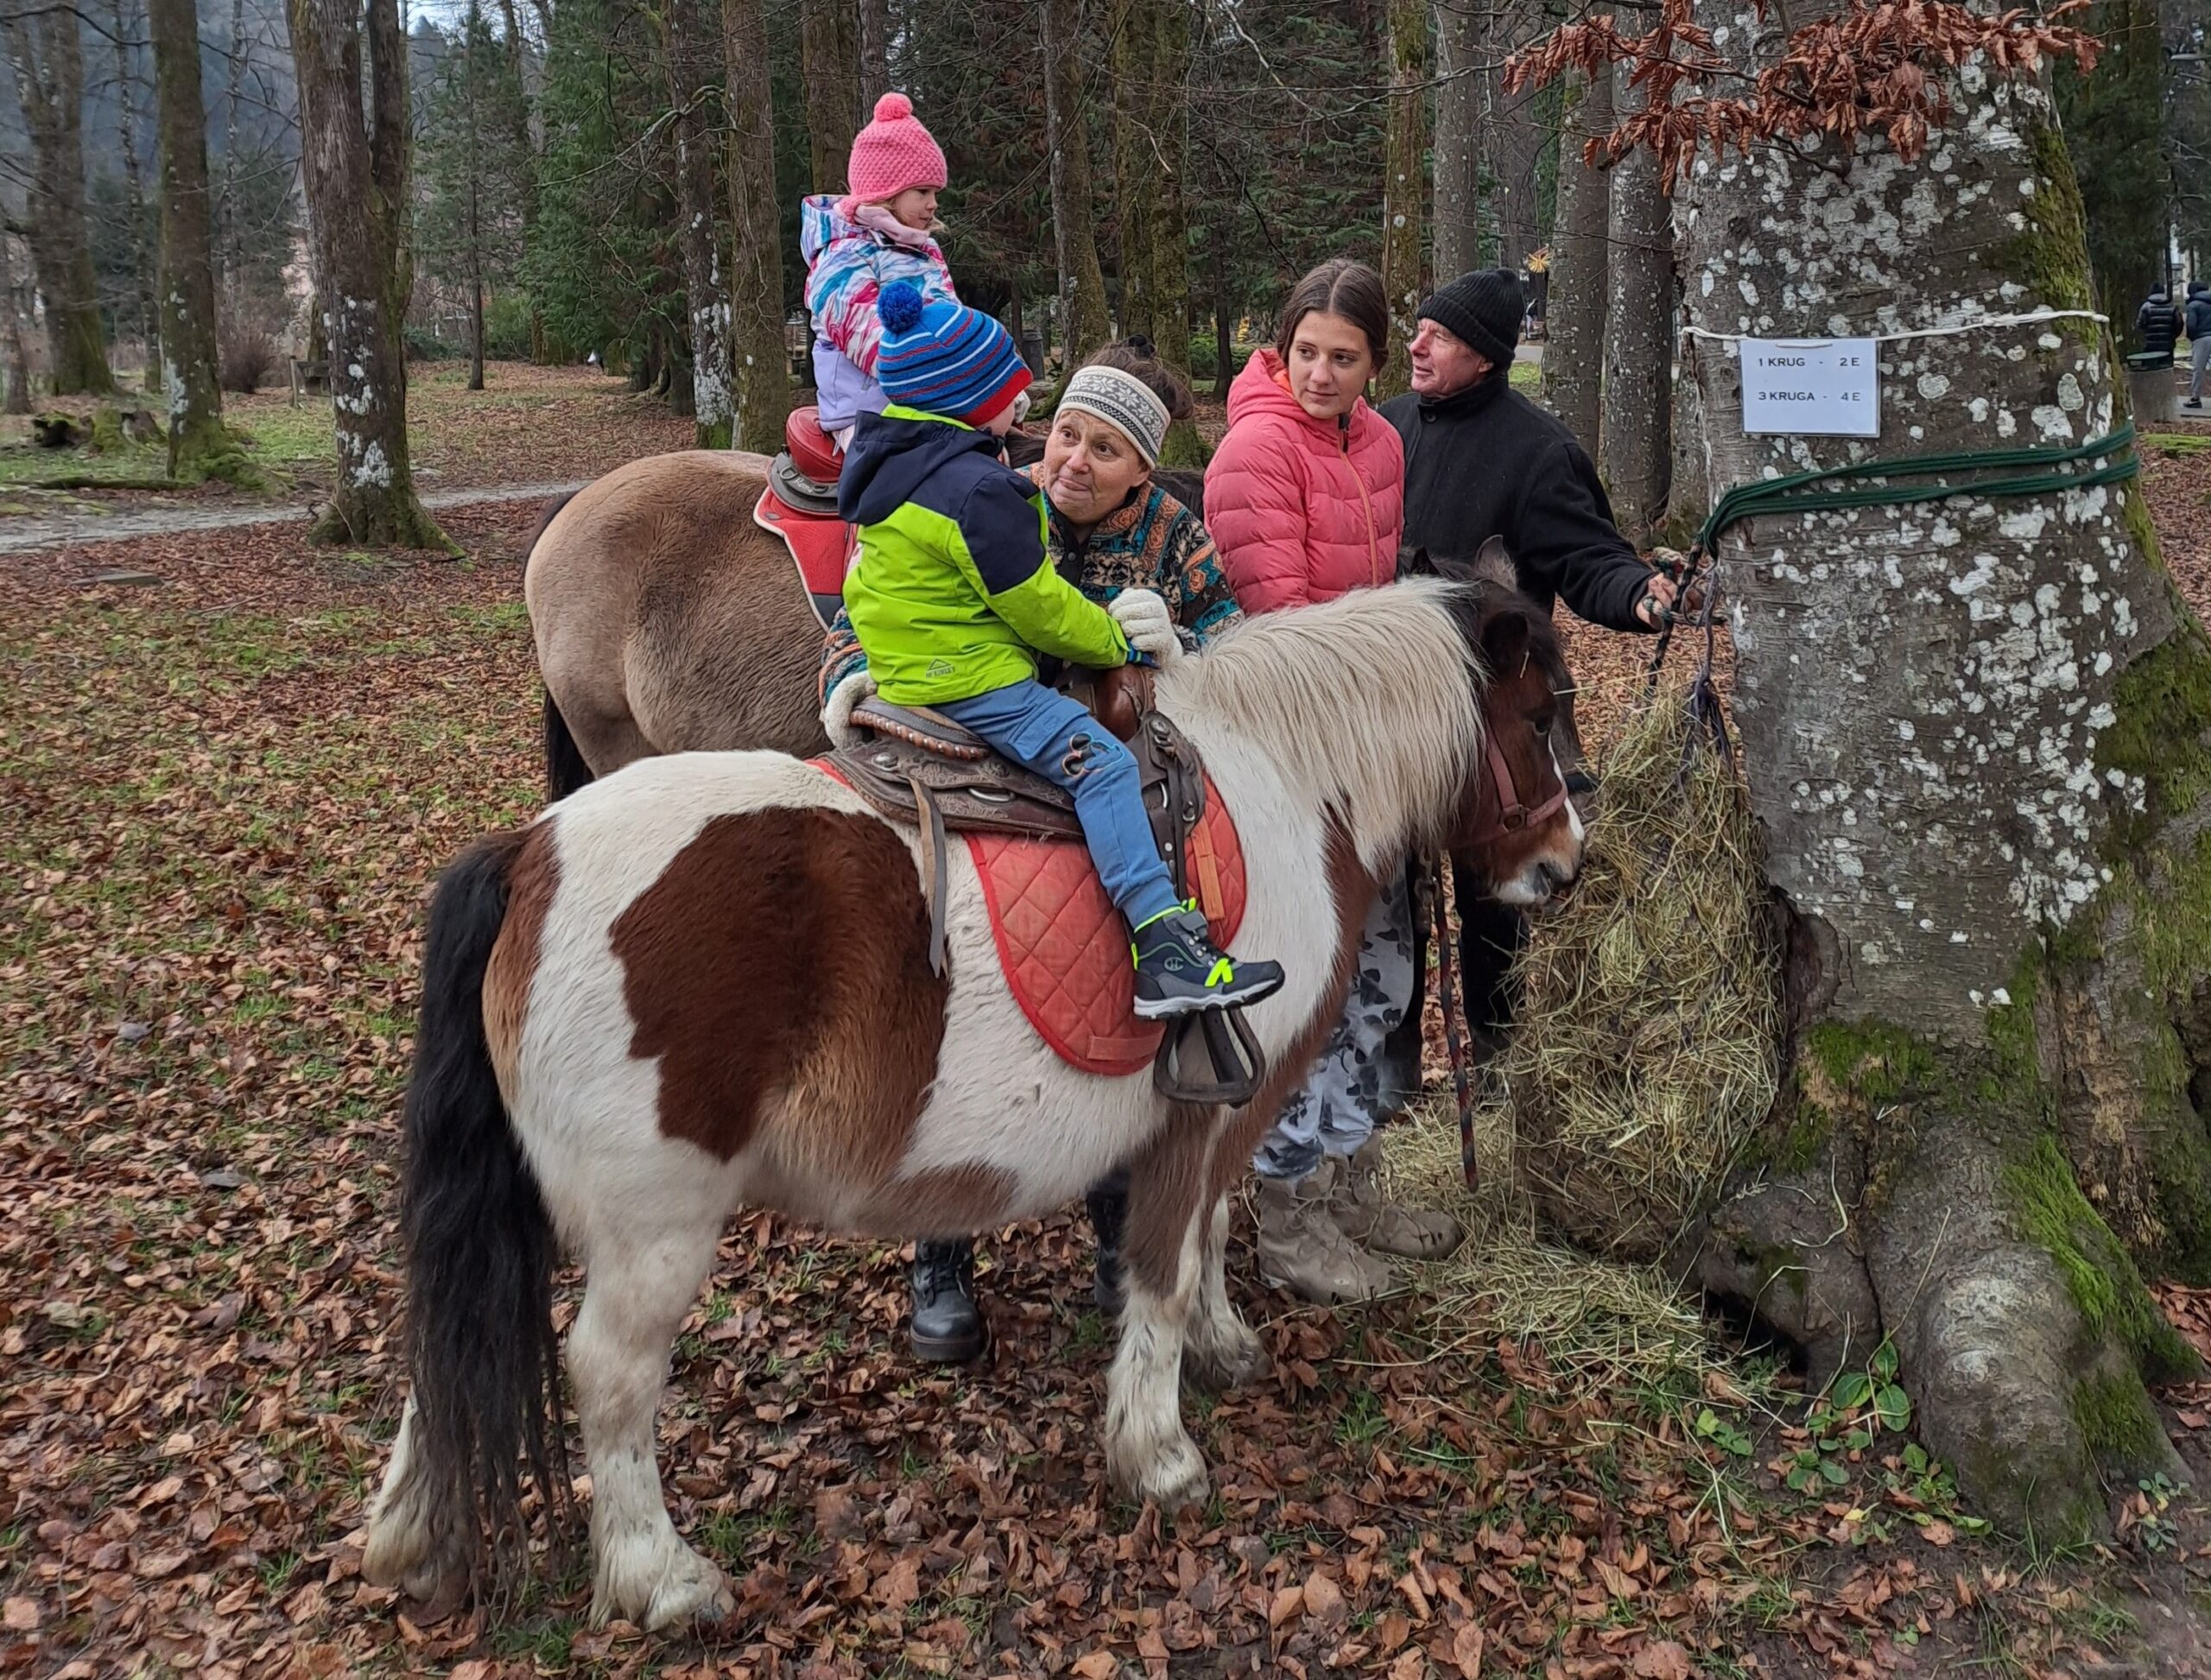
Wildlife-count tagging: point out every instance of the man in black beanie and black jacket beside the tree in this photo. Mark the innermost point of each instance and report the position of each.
(1482, 461)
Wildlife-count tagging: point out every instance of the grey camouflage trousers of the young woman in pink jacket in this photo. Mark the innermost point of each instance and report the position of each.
(1341, 1102)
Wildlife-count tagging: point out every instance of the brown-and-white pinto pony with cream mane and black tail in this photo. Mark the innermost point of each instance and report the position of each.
(706, 983)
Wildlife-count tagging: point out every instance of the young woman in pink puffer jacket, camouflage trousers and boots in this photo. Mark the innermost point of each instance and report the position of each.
(1306, 501)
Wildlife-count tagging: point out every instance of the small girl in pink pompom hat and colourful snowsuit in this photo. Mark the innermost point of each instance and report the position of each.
(859, 244)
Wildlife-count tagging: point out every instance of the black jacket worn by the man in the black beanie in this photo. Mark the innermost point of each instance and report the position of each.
(1489, 463)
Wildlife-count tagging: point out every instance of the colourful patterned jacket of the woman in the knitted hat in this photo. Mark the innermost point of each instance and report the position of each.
(1153, 543)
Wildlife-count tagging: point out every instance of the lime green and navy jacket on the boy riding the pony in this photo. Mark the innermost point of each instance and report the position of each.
(954, 594)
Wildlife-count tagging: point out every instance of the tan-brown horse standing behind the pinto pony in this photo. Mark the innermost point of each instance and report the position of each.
(669, 622)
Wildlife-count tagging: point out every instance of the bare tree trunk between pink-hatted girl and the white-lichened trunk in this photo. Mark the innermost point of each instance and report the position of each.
(762, 386)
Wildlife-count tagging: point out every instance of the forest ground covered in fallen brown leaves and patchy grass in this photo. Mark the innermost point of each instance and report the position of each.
(227, 795)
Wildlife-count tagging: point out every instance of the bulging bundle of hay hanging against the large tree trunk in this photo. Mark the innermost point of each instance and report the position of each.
(1648, 1031)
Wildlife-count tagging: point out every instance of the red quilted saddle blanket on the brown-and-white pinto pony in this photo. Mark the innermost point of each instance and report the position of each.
(1065, 945)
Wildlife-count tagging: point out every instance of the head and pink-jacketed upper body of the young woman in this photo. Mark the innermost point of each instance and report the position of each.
(1306, 496)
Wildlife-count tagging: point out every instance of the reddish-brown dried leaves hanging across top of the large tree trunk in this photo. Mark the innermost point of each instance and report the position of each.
(1867, 70)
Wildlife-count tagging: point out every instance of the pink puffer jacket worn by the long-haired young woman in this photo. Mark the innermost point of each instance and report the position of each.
(1303, 510)
